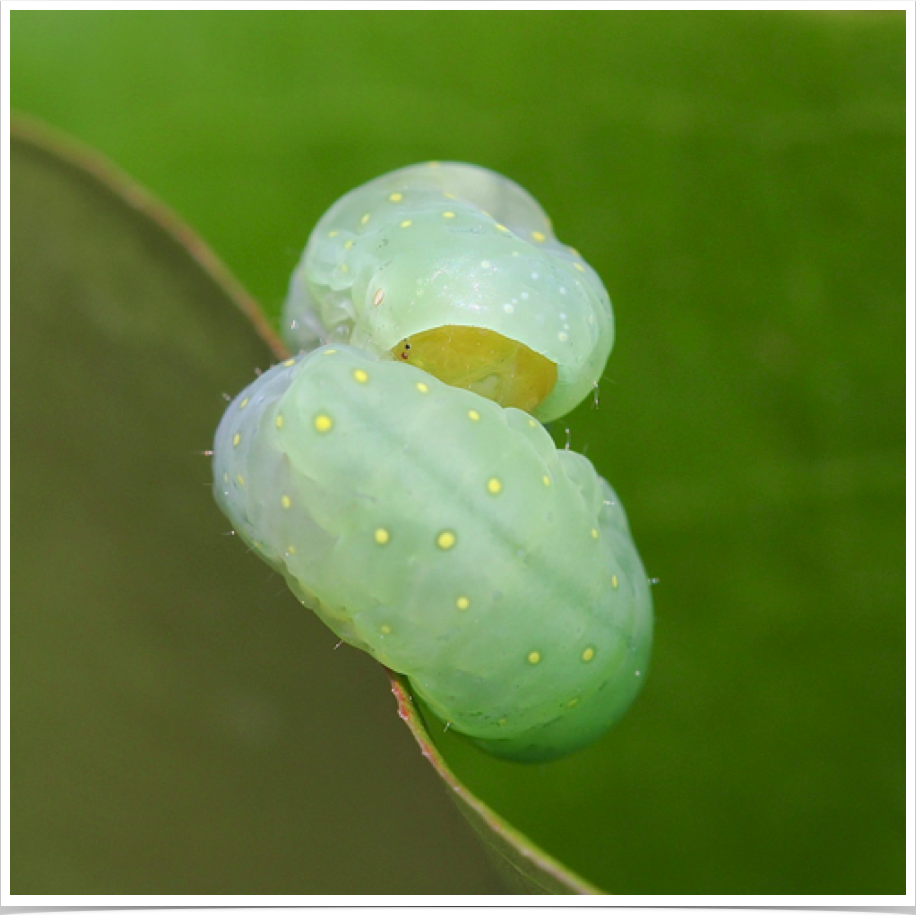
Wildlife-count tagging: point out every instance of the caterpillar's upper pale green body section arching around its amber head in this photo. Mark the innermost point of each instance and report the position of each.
(445, 244)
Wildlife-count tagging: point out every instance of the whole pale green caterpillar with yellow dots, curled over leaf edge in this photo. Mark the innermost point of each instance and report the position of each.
(432, 526)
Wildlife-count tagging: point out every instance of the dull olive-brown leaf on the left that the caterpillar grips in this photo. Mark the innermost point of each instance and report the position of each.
(180, 724)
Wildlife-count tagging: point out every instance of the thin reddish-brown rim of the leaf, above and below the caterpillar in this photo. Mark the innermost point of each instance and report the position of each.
(524, 865)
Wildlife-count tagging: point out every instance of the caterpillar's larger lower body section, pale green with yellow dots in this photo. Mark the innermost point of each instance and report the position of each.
(449, 538)
